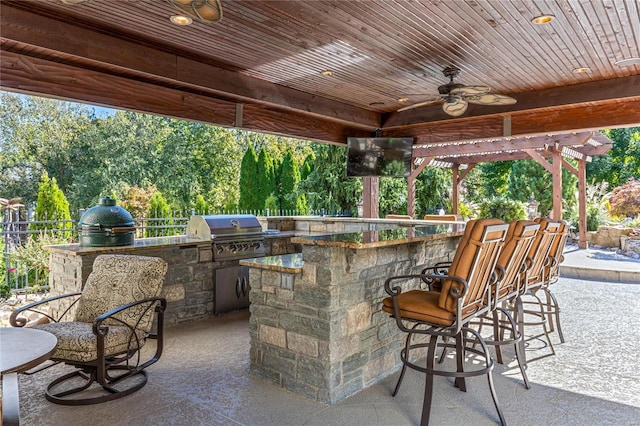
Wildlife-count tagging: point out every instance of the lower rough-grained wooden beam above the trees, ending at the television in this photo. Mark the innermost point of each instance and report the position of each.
(26, 74)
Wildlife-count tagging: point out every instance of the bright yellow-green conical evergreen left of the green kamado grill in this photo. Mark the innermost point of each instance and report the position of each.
(52, 205)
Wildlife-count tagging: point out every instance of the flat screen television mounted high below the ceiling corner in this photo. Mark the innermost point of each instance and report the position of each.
(384, 157)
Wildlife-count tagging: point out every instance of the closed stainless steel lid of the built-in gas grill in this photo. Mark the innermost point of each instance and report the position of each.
(223, 226)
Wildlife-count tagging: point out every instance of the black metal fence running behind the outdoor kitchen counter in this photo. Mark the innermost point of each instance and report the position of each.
(24, 265)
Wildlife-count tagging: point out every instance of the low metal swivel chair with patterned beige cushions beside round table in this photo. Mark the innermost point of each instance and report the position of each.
(114, 316)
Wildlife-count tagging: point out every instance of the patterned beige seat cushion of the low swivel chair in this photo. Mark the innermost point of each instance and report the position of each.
(76, 341)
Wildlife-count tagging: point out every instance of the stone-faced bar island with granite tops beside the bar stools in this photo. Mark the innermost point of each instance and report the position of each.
(316, 325)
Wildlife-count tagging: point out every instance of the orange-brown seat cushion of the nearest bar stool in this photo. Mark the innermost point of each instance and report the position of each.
(421, 306)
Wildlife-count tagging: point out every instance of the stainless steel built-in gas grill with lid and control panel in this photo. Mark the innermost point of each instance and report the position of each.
(233, 236)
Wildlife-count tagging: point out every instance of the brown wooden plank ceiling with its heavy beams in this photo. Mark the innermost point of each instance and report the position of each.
(260, 67)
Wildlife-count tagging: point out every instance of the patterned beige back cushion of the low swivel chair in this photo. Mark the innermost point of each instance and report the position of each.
(118, 280)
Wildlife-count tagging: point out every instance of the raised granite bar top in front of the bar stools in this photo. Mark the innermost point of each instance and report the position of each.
(391, 237)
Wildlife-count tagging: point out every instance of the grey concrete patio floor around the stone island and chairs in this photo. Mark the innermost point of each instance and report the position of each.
(203, 379)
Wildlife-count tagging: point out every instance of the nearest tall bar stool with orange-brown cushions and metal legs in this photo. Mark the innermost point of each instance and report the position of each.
(465, 295)
